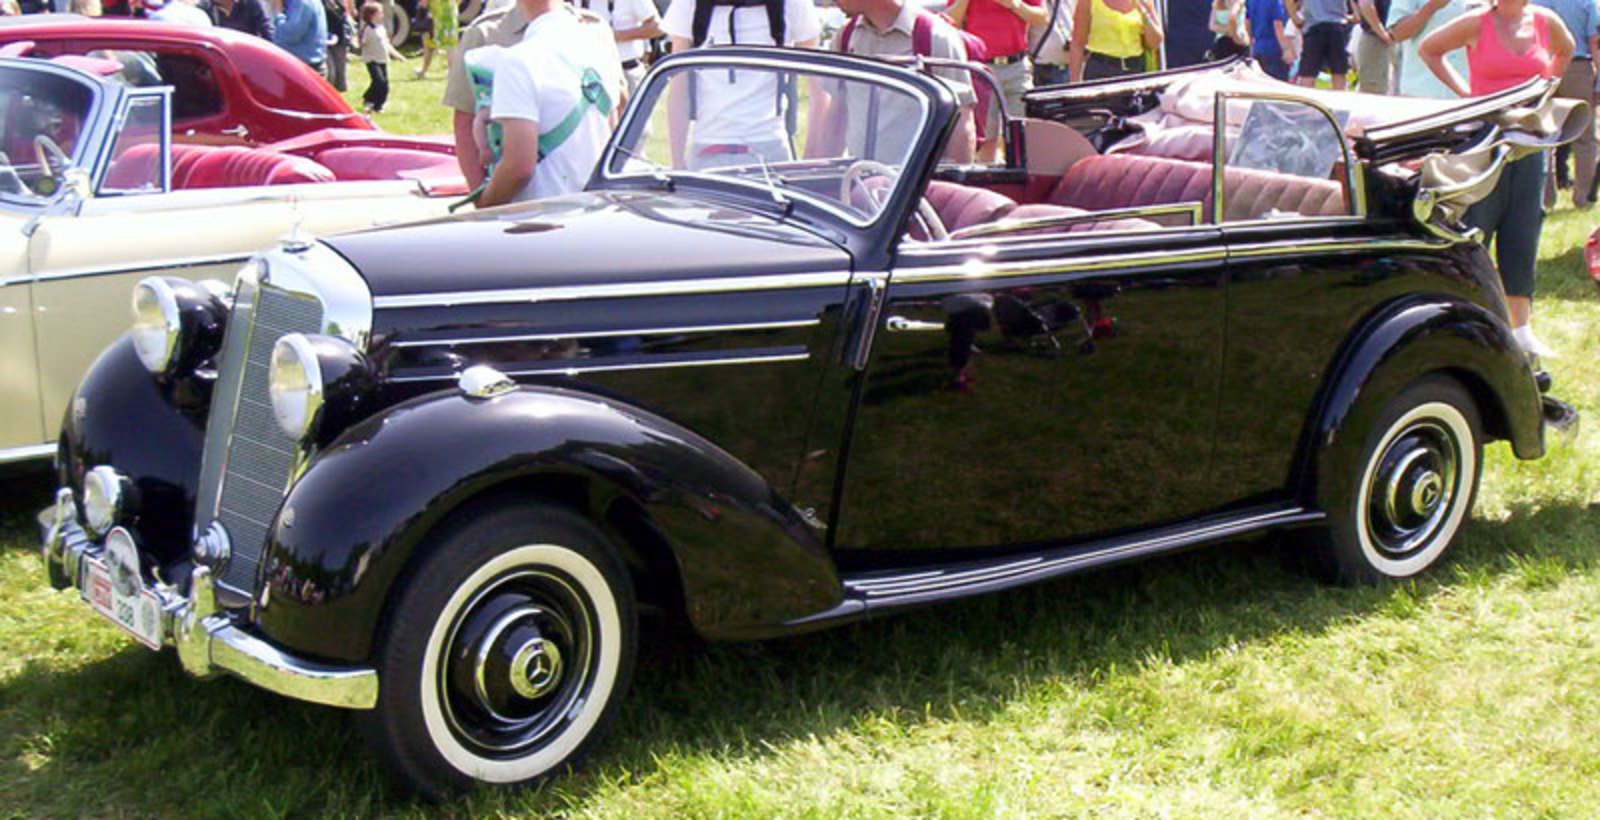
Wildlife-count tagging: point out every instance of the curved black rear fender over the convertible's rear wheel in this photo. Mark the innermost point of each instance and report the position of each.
(1402, 344)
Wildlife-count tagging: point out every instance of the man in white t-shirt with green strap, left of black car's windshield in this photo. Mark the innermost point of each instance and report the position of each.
(554, 98)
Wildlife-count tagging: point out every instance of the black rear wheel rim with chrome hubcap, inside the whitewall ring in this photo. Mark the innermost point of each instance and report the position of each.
(1414, 489)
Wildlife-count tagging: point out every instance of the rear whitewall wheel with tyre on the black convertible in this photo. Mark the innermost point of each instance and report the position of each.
(1418, 476)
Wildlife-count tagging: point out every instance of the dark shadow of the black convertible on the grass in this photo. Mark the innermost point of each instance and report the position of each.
(130, 733)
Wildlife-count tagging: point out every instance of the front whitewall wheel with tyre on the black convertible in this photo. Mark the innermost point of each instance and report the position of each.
(506, 654)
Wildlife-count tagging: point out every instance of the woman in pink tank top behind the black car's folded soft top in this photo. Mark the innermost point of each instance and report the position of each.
(1508, 44)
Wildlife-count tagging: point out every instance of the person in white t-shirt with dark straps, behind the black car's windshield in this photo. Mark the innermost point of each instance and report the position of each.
(732, 118)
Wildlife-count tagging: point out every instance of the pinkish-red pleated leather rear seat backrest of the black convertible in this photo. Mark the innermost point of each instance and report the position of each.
(1130, 182)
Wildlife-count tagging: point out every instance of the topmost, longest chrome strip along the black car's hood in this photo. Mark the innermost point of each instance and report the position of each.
(615, 291)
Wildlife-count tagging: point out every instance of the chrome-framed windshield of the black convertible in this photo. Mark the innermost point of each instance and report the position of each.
(834, 140)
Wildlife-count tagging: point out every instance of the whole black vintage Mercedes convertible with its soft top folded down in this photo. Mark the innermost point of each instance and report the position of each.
(431, 473)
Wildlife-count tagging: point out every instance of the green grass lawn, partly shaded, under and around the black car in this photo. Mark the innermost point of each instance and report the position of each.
(1210, 685)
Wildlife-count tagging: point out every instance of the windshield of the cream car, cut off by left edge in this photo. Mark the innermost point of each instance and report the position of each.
(39, 115)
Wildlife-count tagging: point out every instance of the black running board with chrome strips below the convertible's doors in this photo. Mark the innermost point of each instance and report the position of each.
(879, 592)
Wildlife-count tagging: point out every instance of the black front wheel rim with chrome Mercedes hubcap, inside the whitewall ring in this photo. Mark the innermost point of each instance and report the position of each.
(519, 662)
